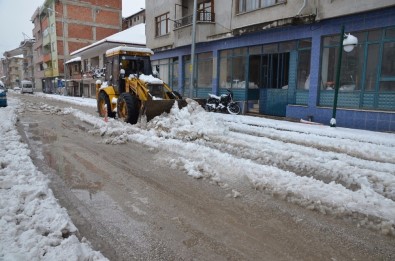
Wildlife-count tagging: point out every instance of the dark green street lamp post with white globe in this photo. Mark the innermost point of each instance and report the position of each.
(348, 42)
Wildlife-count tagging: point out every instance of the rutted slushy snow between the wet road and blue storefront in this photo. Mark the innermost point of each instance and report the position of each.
(345, 172)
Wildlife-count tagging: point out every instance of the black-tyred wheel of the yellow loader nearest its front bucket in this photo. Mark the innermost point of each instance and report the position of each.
(128, 108)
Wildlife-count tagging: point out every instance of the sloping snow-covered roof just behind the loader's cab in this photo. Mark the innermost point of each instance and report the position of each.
(133, 35)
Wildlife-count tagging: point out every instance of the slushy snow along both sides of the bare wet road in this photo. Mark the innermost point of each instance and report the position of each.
(343, 172)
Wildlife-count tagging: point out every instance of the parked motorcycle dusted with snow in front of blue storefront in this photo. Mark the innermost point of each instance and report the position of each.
(222, 103)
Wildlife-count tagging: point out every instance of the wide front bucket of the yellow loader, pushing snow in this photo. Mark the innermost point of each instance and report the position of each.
(155, 108)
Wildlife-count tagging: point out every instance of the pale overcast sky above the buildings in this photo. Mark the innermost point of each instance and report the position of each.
(15, 18)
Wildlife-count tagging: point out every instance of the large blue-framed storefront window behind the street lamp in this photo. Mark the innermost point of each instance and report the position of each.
(367, 78)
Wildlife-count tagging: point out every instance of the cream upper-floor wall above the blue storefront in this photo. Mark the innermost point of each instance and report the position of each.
(227, 21)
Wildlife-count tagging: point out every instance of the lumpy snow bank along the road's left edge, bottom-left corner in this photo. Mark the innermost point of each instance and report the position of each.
(33, 226)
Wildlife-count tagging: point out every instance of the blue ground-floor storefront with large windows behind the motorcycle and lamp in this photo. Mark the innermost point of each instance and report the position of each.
(290, 71)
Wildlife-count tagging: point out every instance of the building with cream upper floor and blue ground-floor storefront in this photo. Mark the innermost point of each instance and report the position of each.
(280, 57)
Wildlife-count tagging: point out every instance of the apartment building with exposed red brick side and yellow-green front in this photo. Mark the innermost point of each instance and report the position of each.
(61, 27)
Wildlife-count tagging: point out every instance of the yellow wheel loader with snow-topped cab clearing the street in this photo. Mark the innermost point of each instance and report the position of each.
(130, 90)
